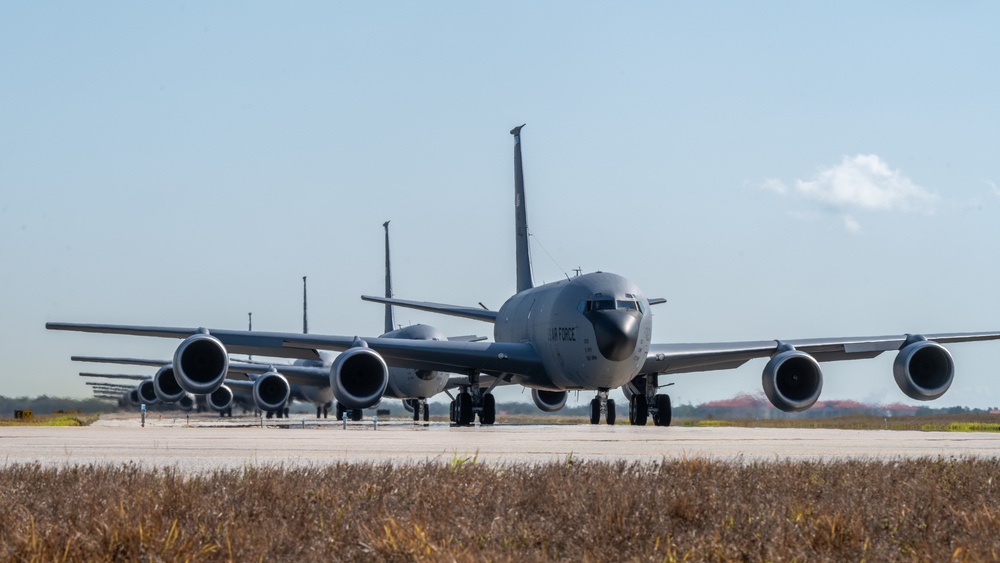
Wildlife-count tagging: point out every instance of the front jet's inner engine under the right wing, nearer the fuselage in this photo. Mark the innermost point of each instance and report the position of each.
(792, 381)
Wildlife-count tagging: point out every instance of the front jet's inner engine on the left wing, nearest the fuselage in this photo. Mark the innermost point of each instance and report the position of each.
(358, 377)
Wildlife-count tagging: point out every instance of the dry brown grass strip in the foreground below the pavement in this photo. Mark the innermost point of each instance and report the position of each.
(694, 510)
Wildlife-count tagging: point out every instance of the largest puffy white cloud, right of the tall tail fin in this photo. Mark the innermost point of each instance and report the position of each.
(865, 182)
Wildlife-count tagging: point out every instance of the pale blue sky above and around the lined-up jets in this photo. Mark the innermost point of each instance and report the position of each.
(775, 170)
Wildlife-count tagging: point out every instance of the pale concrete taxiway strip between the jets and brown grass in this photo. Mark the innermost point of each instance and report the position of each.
(205, 444)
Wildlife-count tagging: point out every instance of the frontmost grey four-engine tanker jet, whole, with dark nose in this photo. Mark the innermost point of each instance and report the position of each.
(591, 332)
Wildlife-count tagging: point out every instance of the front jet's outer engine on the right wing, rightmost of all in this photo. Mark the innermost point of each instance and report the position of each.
(923, 370)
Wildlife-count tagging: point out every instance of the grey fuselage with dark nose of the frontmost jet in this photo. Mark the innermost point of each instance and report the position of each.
(591, 332)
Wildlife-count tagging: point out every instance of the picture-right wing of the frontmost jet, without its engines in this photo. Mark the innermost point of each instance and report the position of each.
(687, 358)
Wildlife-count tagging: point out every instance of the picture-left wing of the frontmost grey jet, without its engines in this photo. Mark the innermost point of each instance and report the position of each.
(460, 357)
